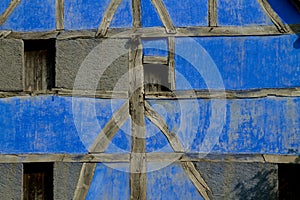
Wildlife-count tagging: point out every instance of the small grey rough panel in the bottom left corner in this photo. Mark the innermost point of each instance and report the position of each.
(11, 181)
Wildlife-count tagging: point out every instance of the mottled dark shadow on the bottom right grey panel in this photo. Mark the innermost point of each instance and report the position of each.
(265, 188)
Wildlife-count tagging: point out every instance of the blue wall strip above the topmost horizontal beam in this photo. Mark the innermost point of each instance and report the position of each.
(39, 15)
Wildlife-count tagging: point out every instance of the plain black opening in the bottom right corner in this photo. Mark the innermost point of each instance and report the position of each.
(289, 185)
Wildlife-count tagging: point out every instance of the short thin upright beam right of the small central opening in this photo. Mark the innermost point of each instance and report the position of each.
(171, 62)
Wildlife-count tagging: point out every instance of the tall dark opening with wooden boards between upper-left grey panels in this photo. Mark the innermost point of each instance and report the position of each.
(39, 68)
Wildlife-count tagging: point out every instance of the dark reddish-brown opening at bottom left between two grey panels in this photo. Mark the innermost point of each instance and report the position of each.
(38, 181)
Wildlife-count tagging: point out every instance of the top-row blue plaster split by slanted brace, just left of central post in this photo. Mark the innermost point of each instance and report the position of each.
(87, 14)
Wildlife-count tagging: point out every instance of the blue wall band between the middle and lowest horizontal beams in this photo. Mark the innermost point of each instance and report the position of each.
(51, 124)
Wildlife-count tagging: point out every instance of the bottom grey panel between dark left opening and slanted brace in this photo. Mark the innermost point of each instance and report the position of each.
(65, 177)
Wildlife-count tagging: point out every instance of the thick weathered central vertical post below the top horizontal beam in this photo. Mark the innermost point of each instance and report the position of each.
(136, 102)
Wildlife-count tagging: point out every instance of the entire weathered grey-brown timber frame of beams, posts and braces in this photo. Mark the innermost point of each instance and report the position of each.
(136, 107)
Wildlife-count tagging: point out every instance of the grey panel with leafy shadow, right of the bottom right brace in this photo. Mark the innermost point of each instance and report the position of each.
(241, 180)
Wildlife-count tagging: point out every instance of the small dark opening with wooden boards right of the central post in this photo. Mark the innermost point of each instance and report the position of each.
(156, 78)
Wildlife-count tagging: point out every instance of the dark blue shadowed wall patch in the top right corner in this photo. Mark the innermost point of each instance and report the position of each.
(289, 12)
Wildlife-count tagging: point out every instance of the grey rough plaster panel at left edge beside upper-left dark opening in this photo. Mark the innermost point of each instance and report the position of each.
(11, 64)
